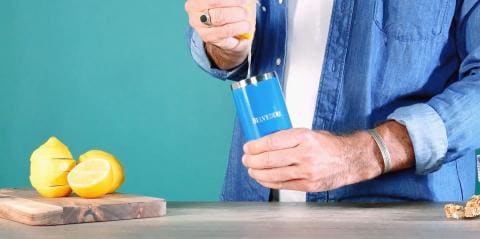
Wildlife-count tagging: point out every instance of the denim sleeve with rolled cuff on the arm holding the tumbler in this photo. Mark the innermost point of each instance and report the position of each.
(448, 126)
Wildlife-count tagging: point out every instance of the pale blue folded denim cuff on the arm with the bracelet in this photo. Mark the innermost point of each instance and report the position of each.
(427, 133)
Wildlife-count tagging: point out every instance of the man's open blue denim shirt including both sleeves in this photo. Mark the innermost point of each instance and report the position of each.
(416, 62)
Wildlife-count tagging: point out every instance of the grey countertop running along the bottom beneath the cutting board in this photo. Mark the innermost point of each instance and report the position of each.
(268, 220)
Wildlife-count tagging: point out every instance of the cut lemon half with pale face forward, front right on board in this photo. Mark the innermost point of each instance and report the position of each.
(91, 178)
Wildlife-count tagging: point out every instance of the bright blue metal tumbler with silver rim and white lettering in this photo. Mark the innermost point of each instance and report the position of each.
(260, 106)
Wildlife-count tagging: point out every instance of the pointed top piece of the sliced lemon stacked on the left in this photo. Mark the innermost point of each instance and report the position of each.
(53, 148)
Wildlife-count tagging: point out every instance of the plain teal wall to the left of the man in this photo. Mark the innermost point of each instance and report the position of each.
(114, 75)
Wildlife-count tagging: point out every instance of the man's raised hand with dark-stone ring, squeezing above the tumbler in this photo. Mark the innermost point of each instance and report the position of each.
(229, 18)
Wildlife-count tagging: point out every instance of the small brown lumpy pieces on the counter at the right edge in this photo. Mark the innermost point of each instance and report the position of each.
(471, 209)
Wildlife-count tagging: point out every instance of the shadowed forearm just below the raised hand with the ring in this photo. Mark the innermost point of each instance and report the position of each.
(225, 59)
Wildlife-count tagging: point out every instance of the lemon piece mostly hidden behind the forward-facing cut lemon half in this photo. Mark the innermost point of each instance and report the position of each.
(117, 169)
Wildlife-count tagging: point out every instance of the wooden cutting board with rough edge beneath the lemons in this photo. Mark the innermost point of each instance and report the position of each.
(26, 206)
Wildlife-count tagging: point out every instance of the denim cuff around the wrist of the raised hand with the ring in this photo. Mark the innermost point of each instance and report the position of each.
(197, 48)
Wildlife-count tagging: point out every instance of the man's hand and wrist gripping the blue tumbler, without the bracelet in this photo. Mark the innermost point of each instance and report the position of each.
(315, 161)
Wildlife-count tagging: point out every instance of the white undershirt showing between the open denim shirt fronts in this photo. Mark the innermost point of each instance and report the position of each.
(308, 25)
